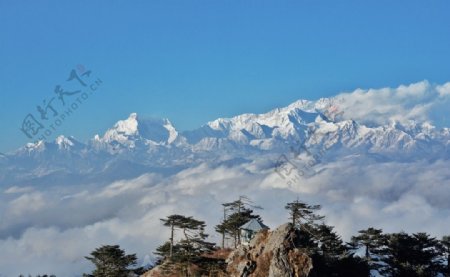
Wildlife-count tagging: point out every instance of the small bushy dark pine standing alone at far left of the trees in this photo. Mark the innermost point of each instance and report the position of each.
(111, 261)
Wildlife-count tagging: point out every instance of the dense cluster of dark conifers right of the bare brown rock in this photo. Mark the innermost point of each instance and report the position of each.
(391, 255)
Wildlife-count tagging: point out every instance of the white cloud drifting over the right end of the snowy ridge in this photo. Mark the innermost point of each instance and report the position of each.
(420, 102)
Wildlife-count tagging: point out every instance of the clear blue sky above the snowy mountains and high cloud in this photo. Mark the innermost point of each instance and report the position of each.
(194, 61)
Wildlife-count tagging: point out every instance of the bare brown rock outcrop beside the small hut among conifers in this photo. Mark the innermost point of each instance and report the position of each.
(272, 254)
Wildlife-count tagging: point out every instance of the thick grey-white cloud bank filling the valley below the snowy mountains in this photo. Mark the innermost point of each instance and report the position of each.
(50, 231)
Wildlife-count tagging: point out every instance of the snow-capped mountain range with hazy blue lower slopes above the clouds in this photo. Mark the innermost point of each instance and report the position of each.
(135, 145)
